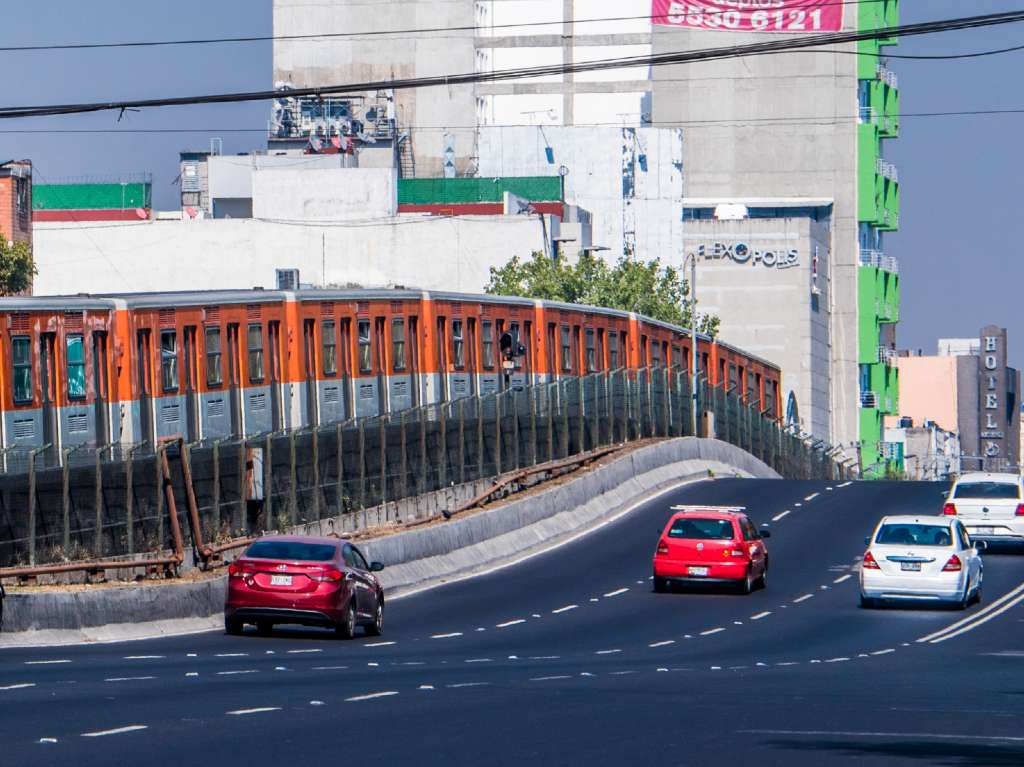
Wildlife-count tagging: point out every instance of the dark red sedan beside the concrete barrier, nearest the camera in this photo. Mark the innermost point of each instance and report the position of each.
(307, 581)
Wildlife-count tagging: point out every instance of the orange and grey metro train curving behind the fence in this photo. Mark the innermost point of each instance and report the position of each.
(134, 368)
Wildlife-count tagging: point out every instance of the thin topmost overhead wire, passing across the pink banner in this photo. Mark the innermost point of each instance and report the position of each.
(372, 33)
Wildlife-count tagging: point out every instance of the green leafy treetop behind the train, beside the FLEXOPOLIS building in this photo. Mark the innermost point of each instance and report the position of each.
(644, 287)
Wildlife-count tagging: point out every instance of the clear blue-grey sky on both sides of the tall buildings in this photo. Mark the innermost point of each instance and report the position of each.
(961, 181)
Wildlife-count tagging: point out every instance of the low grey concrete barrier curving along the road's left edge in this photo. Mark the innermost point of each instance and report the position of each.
(415, 560)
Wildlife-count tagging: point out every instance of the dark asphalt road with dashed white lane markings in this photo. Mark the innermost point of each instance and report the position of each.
(569, 658)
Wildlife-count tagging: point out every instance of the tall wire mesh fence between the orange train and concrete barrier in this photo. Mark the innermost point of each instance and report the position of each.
(113, 502)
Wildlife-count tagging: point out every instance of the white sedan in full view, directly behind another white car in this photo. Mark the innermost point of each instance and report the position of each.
(921, 559)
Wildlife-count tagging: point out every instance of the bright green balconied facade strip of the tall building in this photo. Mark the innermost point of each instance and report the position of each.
(878, 212)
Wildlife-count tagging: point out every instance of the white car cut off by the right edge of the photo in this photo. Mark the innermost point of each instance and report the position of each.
(991, 506)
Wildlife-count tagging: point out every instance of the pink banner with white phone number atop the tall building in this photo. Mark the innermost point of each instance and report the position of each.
(750, 16)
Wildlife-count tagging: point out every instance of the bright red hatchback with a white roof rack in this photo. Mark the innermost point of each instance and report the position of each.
(709, 544)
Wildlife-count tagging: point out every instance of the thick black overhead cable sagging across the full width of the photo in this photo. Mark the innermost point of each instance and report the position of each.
(708, 55)
